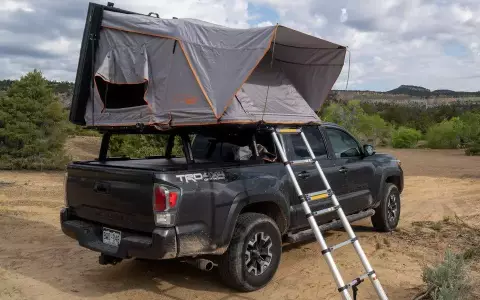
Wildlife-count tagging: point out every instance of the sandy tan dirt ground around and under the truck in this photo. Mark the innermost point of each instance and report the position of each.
(440, 209)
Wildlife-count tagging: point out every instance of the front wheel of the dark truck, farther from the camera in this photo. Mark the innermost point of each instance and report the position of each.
(387, 214)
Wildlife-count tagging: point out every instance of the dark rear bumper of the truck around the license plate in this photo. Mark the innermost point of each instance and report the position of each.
(162, 244)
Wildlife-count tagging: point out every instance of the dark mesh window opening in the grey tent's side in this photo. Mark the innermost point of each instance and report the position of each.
(116, 96)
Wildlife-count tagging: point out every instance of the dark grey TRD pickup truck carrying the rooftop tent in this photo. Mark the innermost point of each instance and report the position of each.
(214, 207)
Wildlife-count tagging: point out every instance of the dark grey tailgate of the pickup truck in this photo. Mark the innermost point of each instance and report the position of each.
(117, 197)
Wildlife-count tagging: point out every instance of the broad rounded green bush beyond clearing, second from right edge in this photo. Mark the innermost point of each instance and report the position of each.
(445, 135)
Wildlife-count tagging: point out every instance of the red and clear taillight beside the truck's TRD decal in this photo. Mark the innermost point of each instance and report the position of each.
(164, 203)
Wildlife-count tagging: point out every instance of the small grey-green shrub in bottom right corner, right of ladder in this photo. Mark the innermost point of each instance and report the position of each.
(448, 280)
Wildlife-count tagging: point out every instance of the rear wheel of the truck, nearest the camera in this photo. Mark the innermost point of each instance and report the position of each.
(254, 253)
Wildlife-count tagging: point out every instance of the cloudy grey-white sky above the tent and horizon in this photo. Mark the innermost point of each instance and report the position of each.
(432, 43)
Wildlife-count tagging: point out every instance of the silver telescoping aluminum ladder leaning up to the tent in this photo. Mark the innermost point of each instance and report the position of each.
(326, 250)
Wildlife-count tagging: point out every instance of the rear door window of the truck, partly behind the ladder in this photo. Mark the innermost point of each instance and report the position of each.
(298, 149)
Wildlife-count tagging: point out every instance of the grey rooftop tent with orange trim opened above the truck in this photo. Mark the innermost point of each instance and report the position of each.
(179, 72)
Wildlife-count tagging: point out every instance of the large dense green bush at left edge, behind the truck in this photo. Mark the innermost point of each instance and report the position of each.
(32, 126)
